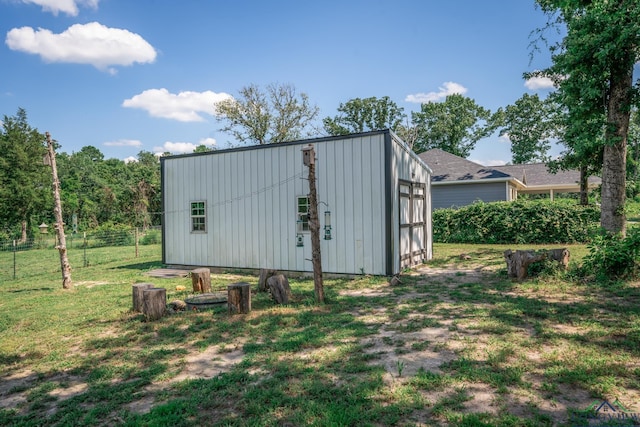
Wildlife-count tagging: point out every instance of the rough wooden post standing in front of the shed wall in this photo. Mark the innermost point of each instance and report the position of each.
(309, 159)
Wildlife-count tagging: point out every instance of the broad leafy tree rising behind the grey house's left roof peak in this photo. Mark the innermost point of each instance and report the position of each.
(454, 125)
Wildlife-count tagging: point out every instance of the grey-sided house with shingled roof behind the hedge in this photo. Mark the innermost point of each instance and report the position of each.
(459, 182)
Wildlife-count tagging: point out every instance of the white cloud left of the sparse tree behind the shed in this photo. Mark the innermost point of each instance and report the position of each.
(184, 106)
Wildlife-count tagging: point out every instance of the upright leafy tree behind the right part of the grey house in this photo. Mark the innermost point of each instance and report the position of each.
(530, 125)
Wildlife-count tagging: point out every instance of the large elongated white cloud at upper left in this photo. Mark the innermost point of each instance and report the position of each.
(91, 43)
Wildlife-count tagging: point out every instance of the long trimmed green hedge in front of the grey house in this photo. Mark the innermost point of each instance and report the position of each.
(538, 221)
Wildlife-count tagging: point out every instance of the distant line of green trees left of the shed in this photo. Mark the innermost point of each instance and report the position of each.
(94, 191)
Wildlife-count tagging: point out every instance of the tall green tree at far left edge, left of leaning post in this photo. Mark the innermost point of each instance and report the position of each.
(25, 183)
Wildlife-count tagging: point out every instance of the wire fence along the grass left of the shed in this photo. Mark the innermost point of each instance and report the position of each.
(19, 260)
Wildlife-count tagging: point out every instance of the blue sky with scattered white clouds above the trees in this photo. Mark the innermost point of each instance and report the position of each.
(126, 76)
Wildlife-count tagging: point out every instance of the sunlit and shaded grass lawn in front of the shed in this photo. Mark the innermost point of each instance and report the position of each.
(511, 353)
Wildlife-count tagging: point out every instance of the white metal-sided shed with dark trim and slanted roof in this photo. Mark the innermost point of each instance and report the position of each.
(247, 207)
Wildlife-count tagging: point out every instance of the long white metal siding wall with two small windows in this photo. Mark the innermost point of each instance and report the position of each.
(251, 206)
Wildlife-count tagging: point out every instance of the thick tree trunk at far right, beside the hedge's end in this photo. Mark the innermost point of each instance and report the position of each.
(614, 163)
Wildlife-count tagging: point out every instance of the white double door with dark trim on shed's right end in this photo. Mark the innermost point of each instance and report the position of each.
(413, 224)
